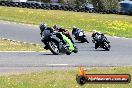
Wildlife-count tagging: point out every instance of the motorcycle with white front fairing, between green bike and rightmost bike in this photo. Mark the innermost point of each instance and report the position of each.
(80, 36)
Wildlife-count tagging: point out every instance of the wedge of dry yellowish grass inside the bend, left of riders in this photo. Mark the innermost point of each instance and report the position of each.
(6, 45)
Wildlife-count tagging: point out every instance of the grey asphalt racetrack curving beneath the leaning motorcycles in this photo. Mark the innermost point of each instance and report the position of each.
(119, 55)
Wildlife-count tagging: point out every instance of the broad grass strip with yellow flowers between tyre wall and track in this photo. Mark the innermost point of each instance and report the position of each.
(112, 24)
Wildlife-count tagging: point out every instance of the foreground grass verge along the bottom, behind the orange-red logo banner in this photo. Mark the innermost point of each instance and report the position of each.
(60, 79)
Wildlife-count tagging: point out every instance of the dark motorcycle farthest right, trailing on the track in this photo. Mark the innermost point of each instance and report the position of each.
(101, 41)
